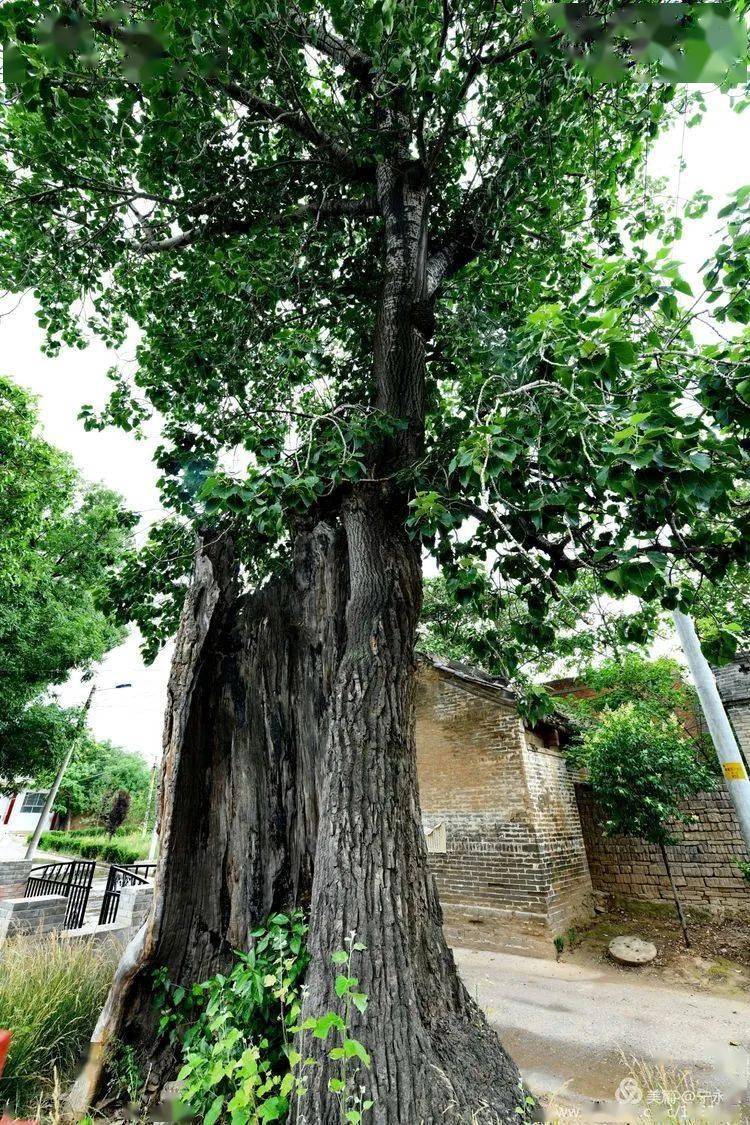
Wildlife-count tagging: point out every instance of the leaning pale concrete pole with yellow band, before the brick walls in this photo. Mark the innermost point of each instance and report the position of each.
(718, 721)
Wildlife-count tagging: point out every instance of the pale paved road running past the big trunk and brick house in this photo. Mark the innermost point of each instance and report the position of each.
(570, 1027)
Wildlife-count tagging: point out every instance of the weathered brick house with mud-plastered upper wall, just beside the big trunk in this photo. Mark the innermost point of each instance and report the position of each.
(513, 835)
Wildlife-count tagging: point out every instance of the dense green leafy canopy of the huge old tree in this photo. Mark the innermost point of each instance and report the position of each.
(211, 173)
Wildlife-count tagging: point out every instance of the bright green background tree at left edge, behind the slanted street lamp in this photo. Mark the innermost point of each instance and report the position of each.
(61, 546)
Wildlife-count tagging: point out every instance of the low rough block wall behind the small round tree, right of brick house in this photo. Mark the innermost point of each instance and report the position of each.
(702, 862)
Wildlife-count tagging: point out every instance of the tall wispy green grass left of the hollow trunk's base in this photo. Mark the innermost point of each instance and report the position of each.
(51, 994)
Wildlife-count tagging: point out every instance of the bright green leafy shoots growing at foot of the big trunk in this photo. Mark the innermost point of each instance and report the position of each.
(241, 1039)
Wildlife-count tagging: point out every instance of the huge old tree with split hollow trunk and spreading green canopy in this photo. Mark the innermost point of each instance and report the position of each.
(375, 255)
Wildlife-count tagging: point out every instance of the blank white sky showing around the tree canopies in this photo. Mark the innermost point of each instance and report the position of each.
(718, 160)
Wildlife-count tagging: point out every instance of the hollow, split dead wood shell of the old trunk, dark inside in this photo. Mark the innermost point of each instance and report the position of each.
(248, 700)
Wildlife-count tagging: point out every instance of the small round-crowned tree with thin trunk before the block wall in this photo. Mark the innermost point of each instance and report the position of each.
(643, 768)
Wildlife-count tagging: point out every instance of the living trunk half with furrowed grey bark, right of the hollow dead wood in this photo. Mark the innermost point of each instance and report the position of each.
(435, 1058)
